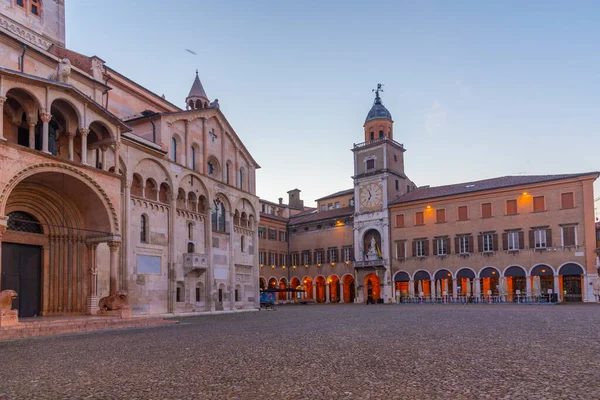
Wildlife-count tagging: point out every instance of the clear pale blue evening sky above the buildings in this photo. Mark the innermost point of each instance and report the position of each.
(476, 89)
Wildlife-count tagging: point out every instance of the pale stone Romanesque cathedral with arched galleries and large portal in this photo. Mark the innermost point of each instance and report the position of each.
(106, 186)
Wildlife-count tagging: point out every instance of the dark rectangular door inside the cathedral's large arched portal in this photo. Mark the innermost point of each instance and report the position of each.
(21, 272)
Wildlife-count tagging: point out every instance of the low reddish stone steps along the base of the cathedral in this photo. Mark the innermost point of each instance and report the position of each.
(49, 327)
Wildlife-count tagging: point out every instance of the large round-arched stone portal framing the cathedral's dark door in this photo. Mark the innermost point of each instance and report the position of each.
(78, 221)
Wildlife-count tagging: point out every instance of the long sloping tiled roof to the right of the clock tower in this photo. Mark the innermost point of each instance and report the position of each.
(477, 186)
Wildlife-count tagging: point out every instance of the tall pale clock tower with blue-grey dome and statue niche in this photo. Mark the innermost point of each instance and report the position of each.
(378, 179)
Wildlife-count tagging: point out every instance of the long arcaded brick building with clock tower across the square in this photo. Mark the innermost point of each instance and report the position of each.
(387, 239)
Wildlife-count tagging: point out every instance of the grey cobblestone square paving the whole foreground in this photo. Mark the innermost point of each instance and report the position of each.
(324, 352)
